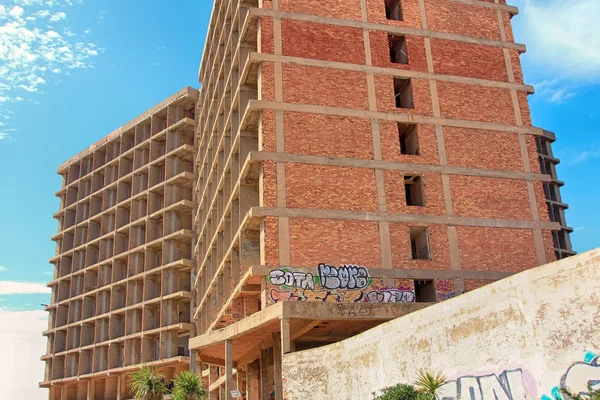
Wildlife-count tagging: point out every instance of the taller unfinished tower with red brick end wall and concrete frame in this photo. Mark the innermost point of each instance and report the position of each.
(357, 160)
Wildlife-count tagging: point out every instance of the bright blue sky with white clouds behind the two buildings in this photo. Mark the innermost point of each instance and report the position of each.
(72, 71)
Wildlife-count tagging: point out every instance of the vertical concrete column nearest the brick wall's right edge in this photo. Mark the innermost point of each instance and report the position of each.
(538, 236)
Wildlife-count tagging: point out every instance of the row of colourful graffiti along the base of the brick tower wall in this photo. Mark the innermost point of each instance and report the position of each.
(344, 284)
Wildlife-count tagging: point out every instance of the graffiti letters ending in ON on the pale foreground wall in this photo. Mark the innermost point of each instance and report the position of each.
(508, 385)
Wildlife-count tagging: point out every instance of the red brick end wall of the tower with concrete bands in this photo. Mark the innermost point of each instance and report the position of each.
(342, 72)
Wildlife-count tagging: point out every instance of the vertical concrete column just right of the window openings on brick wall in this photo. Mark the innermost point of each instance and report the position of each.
(455, 263)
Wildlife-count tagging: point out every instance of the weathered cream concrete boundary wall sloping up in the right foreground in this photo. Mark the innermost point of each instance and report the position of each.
(522, 337)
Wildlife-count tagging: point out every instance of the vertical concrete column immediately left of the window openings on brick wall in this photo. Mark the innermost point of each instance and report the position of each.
(384, 227)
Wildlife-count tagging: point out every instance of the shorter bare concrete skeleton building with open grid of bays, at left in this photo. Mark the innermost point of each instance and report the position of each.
(121, 293)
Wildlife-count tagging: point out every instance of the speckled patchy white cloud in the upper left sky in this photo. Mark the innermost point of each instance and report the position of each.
(33, 52)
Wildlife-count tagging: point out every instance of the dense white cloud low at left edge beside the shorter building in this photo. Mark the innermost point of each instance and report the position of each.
(22, 343)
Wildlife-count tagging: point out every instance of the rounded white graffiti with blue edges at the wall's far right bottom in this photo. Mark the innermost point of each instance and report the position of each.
(579, 378)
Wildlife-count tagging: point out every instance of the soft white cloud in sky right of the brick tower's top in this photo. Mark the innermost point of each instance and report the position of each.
(563, 44)
